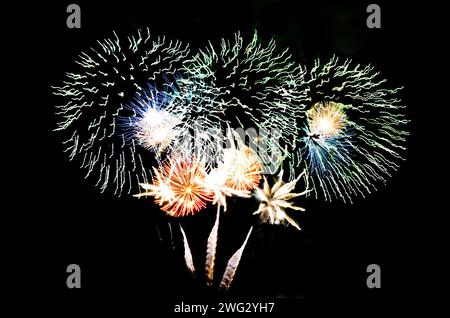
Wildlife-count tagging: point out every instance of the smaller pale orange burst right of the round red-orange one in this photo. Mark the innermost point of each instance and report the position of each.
(244, 169)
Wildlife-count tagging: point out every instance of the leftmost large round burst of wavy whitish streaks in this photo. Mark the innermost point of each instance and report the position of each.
(93, 99)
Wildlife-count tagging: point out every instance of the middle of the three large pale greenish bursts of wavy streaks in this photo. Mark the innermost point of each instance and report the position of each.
(255, 87)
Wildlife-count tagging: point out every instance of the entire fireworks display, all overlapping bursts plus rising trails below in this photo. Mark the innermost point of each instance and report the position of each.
(142, 102)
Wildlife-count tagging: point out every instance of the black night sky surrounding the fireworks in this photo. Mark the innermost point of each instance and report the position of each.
(58, 218)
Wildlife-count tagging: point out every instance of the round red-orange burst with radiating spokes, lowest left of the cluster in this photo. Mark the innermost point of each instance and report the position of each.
(179, 187)
